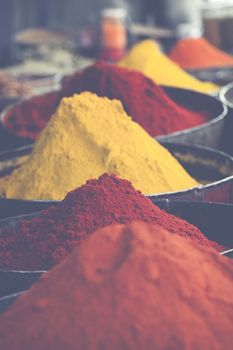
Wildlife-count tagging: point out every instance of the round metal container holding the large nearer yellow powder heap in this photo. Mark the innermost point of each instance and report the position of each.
(204, 164)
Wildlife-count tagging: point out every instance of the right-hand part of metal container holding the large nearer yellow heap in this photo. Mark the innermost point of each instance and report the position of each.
(212, 166)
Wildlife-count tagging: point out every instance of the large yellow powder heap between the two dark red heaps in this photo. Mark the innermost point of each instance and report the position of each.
(88, 136)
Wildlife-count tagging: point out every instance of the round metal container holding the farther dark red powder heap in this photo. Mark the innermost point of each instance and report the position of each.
(207, 134)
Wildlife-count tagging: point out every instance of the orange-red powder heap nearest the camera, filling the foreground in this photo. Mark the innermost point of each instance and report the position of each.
(131, 287)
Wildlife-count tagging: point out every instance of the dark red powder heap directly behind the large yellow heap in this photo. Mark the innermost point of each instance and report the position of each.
(146, 102)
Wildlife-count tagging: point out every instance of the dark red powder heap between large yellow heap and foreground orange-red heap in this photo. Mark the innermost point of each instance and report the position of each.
(44, 241)
